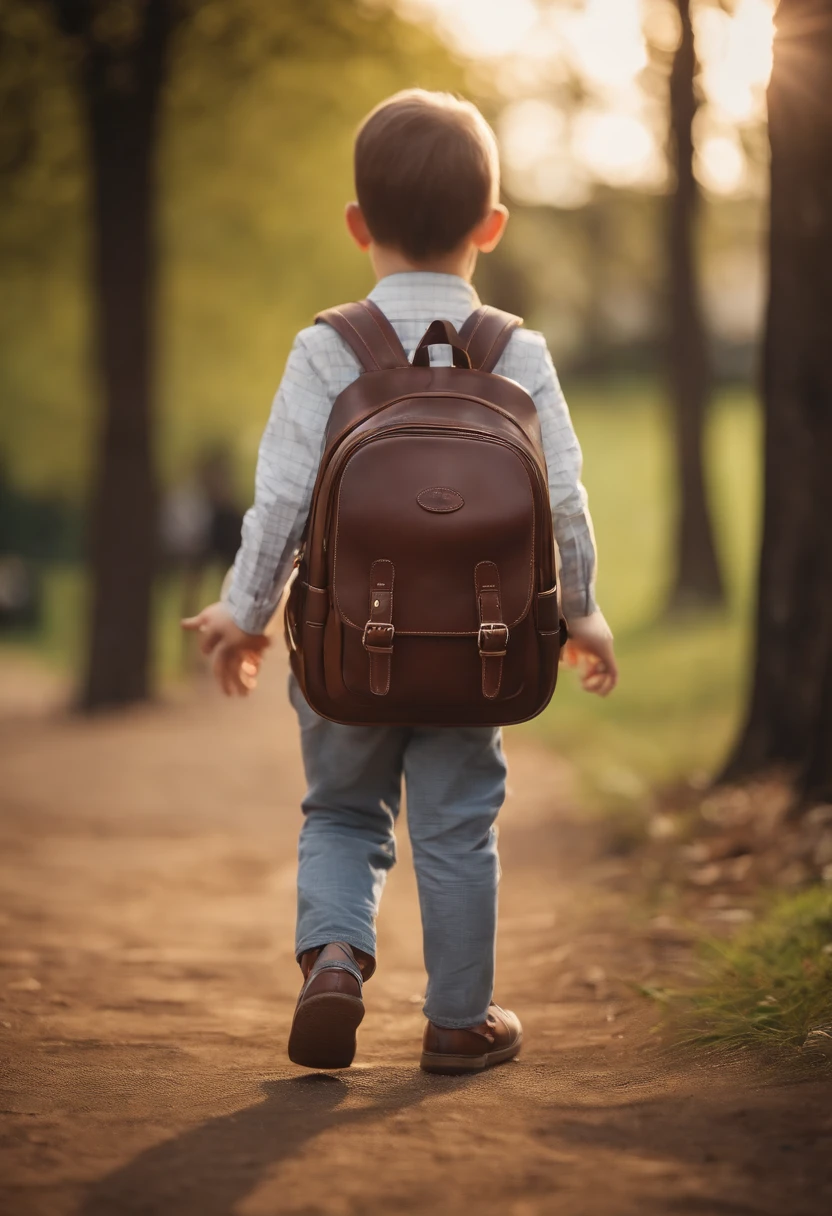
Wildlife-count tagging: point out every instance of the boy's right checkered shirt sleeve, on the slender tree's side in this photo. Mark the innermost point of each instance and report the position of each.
(571, 516)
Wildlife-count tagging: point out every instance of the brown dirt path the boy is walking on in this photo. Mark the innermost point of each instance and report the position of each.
(148, 982)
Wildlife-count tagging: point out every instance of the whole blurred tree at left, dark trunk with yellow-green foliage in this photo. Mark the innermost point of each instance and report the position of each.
(255, 116)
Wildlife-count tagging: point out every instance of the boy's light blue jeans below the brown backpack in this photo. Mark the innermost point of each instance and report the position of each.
(456, 781)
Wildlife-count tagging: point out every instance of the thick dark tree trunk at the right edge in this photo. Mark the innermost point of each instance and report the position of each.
(790, 717)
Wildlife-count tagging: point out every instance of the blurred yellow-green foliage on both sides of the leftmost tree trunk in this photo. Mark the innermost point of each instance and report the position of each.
(254, 170)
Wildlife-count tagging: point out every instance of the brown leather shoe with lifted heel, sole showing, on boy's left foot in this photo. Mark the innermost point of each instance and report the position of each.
(330, 1009)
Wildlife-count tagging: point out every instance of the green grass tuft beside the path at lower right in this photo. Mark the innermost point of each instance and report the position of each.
(771, 986)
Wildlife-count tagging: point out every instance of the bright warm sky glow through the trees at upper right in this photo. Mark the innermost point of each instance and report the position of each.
(617, 136)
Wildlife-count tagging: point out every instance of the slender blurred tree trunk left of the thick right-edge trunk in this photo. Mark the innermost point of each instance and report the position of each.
(698, 579)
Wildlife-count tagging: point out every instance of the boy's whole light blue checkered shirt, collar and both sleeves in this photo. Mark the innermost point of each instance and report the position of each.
(321, 367)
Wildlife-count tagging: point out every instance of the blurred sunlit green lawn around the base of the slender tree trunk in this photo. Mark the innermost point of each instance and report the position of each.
(682, 682)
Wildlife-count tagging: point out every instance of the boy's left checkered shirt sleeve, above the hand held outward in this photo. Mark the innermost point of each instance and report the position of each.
(286, 470)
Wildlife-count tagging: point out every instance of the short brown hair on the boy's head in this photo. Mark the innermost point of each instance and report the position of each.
(426, 172)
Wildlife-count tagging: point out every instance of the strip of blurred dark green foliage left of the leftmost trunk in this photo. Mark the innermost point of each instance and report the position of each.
(44, 325)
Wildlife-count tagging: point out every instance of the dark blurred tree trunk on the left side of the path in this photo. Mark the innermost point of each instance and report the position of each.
(122, 91)
